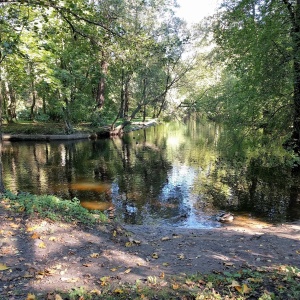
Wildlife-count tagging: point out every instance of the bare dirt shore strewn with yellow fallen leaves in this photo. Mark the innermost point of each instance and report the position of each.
(42, 256)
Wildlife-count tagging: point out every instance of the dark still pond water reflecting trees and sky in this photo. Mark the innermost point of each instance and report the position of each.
(176, 174)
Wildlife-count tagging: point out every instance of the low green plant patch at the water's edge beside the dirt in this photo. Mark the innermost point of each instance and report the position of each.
(52, 207)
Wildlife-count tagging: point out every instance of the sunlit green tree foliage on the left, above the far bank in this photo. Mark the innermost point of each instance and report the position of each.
(60, 60)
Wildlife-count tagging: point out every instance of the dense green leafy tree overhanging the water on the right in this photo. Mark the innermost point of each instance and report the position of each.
(258, 50)
